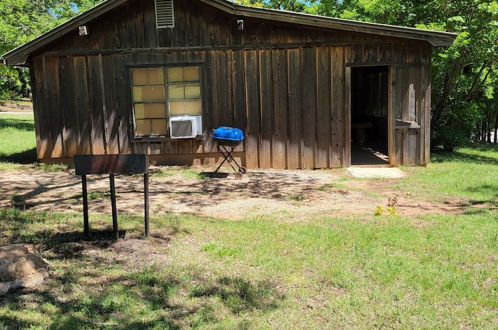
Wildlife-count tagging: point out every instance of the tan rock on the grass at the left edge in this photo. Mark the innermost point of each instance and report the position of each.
(21, 266)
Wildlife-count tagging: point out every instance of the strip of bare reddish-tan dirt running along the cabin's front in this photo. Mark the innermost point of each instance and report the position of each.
(285, 195)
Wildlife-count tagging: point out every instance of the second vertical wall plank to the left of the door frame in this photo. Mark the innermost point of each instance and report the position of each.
(323, 100)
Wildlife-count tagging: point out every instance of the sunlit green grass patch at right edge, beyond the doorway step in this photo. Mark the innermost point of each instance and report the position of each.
(469, 173)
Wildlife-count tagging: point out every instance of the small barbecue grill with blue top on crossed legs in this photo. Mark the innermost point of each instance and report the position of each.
(227, 139)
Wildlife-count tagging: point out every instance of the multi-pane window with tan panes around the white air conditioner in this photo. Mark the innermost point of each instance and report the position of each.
(159, 93)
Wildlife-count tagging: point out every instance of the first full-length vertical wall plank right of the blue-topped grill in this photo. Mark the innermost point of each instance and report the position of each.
(252, 108)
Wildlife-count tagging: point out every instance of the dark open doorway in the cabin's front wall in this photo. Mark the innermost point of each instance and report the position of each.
(369, 95)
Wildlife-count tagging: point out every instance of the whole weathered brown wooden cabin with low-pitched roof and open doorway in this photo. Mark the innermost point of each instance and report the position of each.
(157, 76)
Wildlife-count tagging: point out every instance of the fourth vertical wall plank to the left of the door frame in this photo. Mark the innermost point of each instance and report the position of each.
(294, 111)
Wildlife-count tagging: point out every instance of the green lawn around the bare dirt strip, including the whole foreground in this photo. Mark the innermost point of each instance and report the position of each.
(361, 271)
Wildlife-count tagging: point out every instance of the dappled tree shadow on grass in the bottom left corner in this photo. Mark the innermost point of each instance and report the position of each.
(139, 300)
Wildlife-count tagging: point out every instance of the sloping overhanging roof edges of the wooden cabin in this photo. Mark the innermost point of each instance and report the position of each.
(19, 55)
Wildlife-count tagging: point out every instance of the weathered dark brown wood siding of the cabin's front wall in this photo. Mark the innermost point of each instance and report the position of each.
(287, 86)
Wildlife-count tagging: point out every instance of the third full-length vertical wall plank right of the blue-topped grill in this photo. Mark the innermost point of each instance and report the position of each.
(279, 72)
